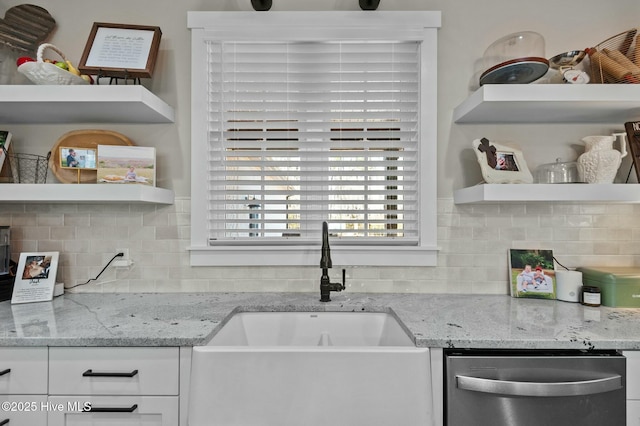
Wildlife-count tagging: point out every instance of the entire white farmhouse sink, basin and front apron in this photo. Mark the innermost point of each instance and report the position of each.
(310, 368)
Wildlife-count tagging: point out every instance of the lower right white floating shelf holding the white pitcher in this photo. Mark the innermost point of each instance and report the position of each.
(578, 192)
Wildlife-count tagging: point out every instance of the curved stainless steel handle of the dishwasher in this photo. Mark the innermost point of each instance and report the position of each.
(553, 389)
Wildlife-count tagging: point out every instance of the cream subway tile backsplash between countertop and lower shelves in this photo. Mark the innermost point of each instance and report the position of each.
(473, 243)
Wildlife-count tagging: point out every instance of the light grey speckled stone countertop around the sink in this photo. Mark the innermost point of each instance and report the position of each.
(435, 320)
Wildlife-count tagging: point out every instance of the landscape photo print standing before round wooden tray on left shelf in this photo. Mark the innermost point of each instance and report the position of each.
(127, 164)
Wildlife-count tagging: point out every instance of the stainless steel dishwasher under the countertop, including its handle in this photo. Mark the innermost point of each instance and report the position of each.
(527, 388)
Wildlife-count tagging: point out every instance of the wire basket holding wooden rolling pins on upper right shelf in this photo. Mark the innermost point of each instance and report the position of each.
(616, 60)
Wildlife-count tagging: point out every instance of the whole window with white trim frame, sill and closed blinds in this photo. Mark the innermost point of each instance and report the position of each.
(304, 117)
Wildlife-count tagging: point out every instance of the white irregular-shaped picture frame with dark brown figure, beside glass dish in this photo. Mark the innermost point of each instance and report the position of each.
(501, 163)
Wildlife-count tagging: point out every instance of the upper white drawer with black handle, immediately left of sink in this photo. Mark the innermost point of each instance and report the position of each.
(113, 371)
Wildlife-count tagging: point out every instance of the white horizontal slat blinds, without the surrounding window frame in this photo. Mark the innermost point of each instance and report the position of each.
(306, 132)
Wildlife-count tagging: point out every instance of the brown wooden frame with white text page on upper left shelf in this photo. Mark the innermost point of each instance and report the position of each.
(120, 50)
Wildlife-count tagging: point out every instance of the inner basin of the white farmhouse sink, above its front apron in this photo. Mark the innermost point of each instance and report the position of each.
(312, 329)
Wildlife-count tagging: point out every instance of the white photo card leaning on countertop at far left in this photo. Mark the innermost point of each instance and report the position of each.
(35, 277)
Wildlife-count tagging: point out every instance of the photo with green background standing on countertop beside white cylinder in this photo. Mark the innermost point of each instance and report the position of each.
(532, 273)
